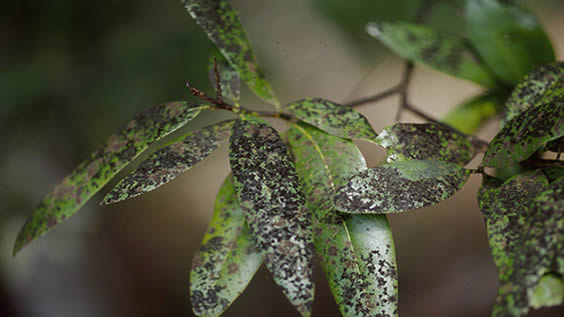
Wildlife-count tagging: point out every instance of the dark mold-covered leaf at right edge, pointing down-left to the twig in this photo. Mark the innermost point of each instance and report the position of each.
(526, 133)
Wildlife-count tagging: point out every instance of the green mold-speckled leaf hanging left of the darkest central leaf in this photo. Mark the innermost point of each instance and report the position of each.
(227, 259)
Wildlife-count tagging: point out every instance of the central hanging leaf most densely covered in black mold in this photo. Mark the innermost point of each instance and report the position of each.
(269, 192)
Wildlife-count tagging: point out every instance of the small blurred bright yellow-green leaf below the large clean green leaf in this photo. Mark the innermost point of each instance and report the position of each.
(469, 116)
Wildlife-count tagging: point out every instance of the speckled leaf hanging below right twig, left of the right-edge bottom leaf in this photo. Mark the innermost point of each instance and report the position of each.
(506, 210)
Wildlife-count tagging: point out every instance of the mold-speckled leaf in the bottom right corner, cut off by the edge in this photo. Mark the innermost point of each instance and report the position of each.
(539, 251)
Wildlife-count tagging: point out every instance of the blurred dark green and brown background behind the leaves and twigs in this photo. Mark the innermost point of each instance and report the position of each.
(71, 72)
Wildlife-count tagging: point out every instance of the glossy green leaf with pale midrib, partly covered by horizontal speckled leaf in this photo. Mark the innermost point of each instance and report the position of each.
(357, 251)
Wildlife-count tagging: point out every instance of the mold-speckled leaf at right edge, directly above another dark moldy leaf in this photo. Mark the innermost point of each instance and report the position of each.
(545, 79)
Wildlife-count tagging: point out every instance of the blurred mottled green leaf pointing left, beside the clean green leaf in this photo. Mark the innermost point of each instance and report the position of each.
(445, 52)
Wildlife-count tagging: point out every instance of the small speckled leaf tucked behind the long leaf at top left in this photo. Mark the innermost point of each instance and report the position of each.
(229, 77)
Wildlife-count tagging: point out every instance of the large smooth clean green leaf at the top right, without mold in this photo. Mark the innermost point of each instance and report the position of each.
(508, 38)
